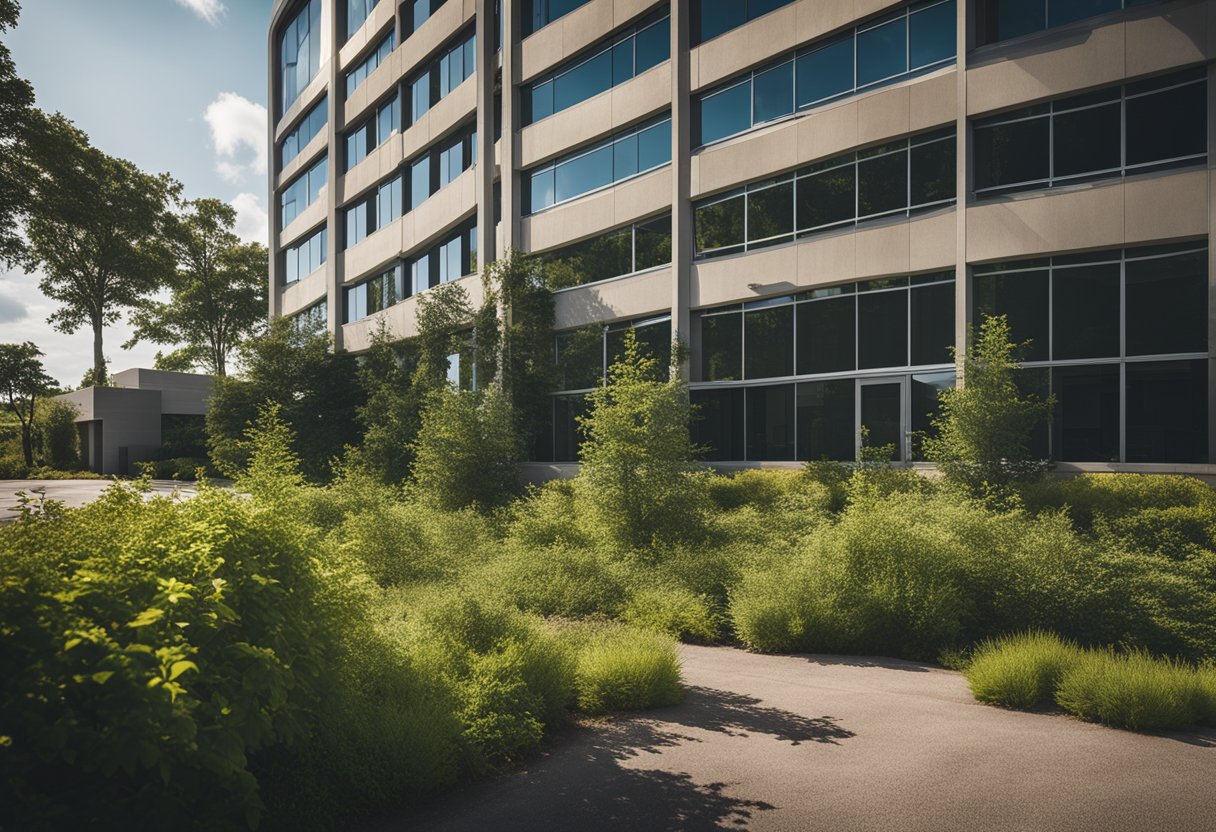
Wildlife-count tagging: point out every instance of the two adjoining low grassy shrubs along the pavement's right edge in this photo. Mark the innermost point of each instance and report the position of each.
(1130, 690)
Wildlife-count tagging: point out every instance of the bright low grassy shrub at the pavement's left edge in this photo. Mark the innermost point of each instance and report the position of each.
(626, 670)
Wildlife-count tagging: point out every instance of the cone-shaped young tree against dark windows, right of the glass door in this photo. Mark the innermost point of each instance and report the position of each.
(986, 424)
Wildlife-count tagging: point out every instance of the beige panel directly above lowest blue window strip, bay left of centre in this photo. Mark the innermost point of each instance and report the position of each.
(601, 116)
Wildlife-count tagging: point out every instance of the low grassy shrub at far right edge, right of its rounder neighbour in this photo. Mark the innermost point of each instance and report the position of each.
(1133, 692)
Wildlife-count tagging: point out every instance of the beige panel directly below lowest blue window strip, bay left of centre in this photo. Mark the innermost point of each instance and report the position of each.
(598, 212)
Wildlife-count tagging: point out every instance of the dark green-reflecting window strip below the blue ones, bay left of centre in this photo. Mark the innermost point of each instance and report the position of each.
(621, 252)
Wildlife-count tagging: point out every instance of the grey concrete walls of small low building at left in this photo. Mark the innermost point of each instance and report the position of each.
(120, 426)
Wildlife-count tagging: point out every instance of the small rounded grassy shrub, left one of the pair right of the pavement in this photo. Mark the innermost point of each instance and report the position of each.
(1021, 672)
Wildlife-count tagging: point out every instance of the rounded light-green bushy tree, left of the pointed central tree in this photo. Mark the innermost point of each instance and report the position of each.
(466, 452)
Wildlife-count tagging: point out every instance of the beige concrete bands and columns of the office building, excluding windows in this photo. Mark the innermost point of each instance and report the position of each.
(1172, 206)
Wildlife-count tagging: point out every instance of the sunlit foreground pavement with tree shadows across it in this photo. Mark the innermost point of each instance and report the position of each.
(851, 745)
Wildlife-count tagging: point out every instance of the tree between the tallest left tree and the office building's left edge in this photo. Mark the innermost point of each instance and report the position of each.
(218, 291)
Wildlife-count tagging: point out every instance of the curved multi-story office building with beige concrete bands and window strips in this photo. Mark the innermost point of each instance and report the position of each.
(818, 196)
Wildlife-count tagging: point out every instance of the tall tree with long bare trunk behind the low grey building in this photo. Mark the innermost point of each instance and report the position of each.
(99, 229)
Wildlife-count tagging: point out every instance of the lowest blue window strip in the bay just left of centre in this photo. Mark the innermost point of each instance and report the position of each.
(620, 159)
